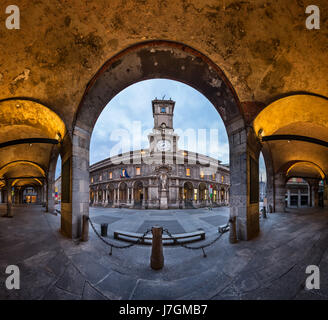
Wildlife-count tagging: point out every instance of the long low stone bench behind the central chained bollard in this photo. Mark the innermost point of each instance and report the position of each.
(179, 238)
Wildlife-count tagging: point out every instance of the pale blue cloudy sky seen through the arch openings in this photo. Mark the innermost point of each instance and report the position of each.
(129, 115)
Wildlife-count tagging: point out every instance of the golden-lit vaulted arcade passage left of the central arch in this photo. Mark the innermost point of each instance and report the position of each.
(32, 135)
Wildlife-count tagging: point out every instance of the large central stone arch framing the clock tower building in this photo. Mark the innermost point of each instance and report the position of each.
(175, 61)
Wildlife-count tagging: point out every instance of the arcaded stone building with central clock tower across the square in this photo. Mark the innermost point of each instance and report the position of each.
(162, 176)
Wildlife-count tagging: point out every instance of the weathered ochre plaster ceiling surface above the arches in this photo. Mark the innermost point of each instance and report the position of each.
(262, 46)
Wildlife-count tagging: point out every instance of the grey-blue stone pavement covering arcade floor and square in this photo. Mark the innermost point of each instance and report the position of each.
(272, 266)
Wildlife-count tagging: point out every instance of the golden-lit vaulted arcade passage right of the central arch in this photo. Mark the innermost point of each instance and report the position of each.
(294, 133)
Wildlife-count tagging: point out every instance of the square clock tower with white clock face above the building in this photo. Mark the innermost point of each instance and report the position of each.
(163, 138)
